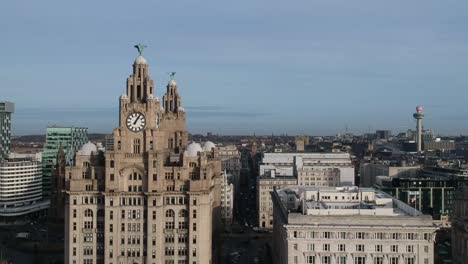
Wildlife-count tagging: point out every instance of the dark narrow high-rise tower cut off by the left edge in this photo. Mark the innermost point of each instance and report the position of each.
(6, 109)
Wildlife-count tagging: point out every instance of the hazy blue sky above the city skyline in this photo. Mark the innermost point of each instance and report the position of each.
(284, 67)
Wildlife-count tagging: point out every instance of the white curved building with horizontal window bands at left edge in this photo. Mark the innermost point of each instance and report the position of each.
(21, 188)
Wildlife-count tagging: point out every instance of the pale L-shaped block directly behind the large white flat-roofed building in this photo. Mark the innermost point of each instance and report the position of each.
(306, 169)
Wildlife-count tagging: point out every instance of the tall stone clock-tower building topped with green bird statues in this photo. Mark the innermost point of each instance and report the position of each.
(154, 198)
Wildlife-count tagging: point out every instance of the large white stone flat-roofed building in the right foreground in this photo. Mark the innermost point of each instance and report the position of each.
(348, 225)
